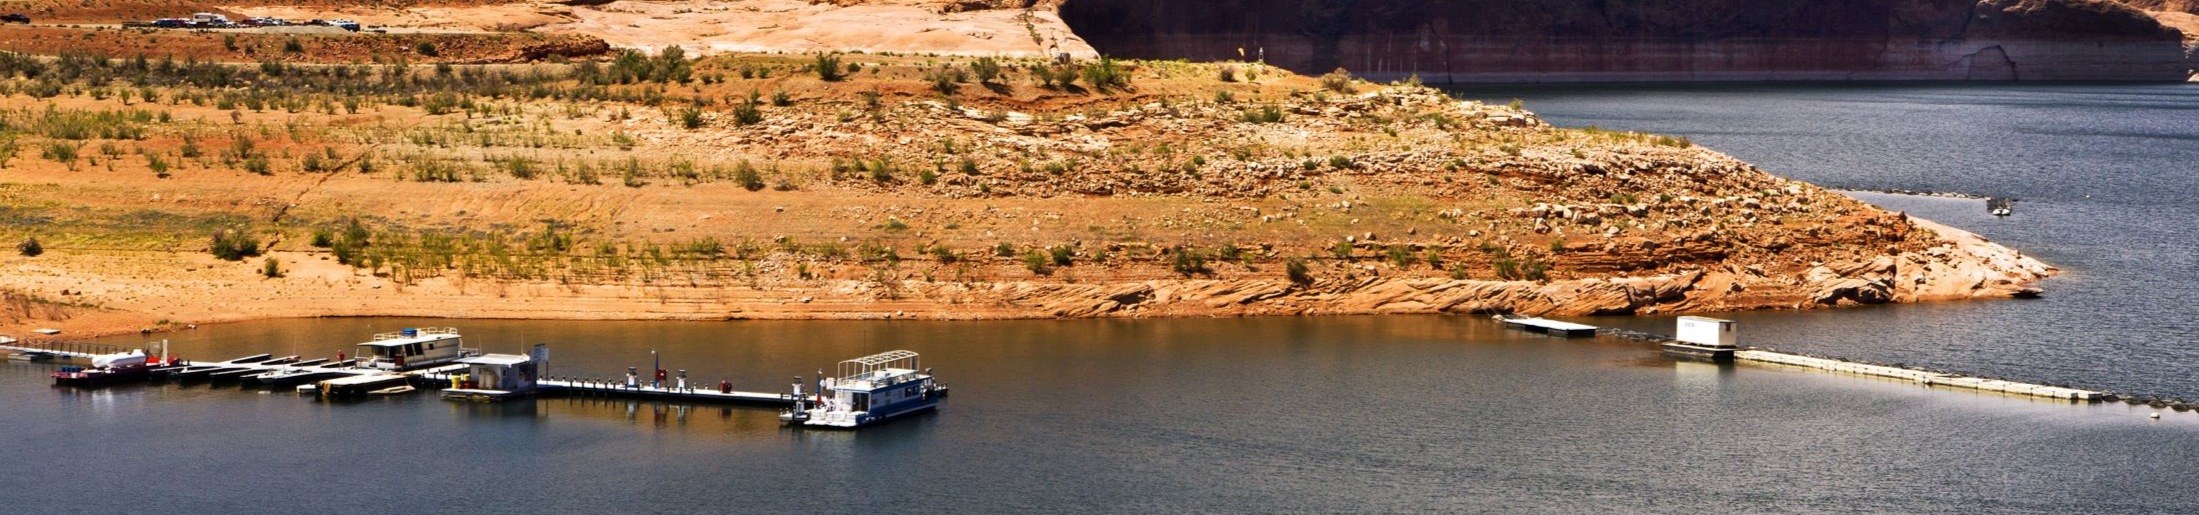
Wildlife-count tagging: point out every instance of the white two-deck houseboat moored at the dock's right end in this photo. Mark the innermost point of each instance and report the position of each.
(870, 391)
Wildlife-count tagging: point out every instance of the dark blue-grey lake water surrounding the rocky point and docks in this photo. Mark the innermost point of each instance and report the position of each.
(1323, 415)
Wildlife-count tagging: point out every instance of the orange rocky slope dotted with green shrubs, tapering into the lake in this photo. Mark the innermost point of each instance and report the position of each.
(898, 190)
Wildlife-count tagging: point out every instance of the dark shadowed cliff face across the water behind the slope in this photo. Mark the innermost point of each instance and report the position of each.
(1558, 41)
